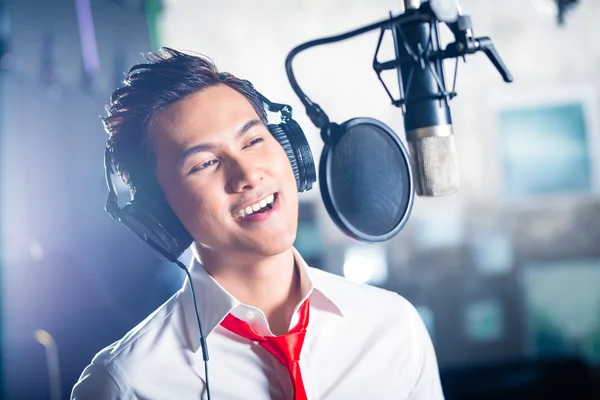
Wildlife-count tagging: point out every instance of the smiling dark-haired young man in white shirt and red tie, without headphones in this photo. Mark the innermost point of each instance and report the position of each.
(182, 130)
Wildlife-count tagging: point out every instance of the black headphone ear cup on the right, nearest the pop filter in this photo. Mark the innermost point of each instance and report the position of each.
(291, 137)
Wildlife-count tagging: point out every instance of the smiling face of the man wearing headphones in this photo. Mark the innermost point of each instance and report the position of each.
(214, 158)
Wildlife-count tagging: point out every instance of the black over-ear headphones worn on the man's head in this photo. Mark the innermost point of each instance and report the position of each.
(155, 223)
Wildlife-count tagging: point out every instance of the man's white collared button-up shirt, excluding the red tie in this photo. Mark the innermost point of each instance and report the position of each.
(361, 342)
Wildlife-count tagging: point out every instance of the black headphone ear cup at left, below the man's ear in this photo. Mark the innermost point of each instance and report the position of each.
(156, 225)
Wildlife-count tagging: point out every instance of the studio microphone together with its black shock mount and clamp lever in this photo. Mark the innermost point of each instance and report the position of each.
(424, 97)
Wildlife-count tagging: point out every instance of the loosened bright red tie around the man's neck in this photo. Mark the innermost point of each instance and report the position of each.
(286, 348)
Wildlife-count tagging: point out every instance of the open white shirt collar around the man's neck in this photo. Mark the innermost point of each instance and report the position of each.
(214, 302)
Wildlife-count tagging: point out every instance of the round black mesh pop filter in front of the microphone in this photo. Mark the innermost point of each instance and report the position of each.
(365, 179)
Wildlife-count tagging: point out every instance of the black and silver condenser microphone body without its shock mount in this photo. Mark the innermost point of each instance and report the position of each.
(427, 119)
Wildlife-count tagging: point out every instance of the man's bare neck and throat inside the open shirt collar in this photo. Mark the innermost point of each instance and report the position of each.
(269, 283)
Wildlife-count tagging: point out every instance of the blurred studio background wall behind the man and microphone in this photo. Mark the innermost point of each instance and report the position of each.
(506, 274)
